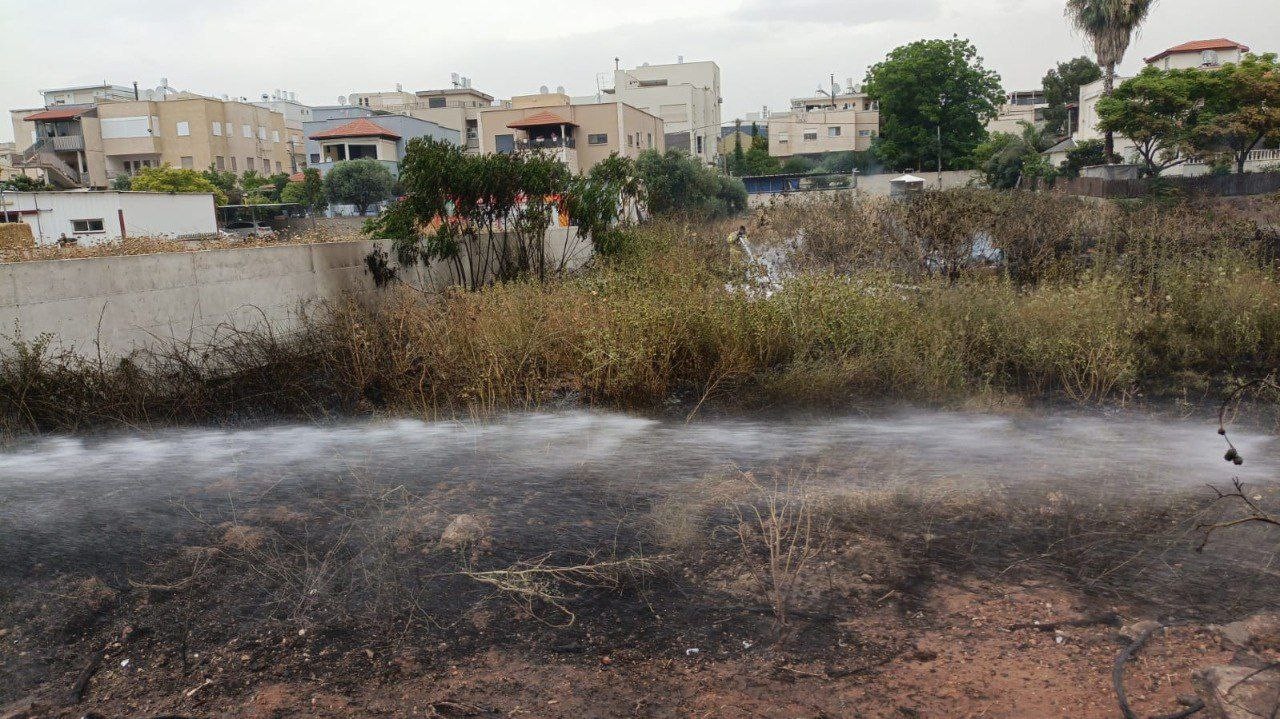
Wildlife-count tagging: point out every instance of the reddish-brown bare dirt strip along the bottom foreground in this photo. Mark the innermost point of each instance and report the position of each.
(954, 656)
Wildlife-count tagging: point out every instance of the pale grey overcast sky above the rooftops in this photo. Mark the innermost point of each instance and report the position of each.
(769, 51)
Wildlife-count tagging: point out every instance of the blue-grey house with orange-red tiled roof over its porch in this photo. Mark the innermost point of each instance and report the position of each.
(377, 138)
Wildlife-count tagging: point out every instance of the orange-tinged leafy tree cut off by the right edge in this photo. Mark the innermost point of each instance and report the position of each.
(1241, 107)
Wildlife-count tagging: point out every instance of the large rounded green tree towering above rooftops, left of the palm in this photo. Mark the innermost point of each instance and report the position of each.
(926, 86)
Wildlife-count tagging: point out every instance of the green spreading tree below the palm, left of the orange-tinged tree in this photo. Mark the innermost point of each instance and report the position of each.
(1158, 112)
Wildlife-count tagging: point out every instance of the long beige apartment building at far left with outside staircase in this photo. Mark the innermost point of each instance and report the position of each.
(89, 145)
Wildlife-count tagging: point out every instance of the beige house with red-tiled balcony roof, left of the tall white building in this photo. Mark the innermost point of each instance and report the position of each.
(580, 136)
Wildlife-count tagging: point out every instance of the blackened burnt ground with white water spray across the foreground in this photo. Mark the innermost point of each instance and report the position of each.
(618, 566)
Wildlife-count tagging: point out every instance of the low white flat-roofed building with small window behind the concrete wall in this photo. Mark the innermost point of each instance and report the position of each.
(97, 218)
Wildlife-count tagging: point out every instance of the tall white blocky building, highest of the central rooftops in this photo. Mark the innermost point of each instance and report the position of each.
(685, 95)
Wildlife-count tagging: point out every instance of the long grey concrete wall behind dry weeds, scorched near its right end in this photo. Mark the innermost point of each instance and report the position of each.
(118, 305)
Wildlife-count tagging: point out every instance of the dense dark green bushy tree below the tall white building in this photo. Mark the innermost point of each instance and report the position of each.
(679, 184)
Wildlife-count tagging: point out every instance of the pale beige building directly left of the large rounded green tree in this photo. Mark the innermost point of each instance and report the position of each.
(844, 121)
